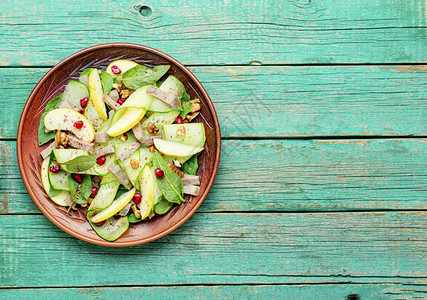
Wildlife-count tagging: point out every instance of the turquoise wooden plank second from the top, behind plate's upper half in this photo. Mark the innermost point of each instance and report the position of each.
(285, 101)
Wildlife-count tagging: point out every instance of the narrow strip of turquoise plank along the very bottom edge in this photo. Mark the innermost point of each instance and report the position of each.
(377, 291)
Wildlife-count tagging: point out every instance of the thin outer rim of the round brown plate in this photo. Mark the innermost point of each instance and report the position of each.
(103, 242)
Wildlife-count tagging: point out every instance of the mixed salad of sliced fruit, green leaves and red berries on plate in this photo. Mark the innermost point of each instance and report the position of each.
(123, 144)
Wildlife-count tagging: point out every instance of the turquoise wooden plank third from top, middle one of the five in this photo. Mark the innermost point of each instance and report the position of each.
(293, 175)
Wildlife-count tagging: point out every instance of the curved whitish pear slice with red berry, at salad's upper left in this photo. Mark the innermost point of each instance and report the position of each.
(64, 119)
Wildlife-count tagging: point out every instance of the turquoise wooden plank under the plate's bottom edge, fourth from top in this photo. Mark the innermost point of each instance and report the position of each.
(274, 248)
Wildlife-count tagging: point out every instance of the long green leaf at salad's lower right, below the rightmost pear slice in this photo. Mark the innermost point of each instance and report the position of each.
(171, 184)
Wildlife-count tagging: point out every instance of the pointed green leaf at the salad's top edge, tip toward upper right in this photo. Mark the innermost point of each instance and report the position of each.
(140, 76)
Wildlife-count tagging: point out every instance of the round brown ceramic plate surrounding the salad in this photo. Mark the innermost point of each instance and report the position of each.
(52, 84)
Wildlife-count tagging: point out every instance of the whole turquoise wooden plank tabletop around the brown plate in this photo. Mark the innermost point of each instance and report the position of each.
(321, 191)
